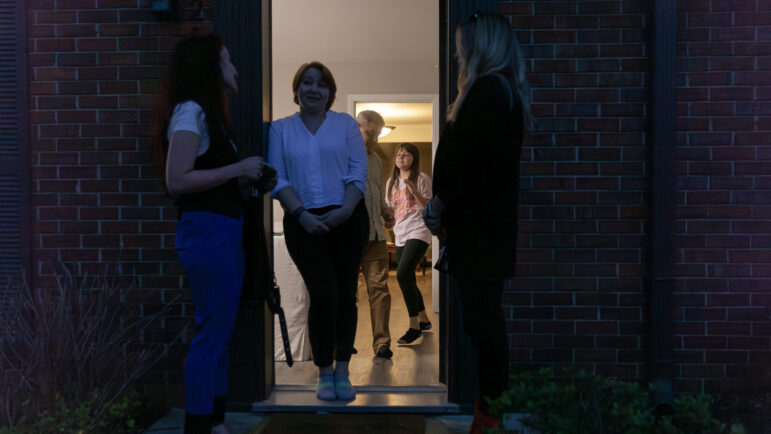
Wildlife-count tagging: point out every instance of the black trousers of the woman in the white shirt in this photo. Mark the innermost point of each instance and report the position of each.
(329, 265)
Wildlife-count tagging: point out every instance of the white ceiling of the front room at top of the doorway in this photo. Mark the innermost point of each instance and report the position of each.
(355, 31)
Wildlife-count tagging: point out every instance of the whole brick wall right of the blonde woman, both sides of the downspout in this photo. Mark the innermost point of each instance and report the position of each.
(580, 299)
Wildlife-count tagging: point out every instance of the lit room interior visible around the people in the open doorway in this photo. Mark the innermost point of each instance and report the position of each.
(379, 55)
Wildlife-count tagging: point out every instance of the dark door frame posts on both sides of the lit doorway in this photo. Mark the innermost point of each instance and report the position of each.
(252, 373)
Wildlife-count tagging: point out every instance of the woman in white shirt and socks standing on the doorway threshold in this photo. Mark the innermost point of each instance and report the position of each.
(321, 162)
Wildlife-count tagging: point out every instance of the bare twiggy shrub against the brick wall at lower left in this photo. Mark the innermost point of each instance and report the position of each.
(70, 355)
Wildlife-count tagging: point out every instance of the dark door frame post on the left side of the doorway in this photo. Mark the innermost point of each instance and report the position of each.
(245, 27)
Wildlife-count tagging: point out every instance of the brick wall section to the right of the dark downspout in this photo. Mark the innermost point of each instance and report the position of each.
(724, 193)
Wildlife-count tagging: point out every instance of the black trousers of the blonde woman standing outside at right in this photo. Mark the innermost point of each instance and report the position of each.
(483, 320)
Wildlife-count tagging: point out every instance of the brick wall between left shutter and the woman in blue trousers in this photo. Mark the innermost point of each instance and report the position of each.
(94, 66)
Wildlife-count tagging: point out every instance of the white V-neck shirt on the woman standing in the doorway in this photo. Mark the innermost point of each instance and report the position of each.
(318, 167)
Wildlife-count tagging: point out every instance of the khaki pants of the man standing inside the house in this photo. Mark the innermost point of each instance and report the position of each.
(374, 266)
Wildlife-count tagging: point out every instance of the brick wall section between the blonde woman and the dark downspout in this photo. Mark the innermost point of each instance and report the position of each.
(579, 298)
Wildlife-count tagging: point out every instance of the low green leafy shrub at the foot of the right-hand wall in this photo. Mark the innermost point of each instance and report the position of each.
(591, 404)
